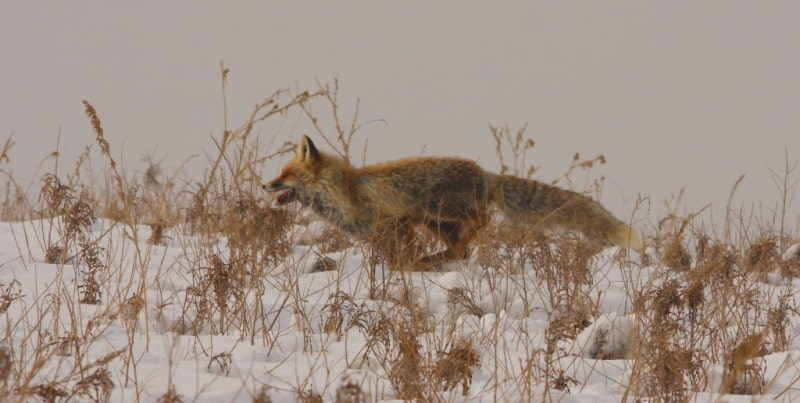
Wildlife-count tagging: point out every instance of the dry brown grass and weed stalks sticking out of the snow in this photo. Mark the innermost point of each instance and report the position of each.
(709, 306)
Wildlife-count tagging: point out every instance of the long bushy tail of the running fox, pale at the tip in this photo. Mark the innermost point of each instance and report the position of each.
(538, 204)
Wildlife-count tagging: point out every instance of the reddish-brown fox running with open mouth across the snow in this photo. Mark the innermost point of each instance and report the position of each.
(450, 197)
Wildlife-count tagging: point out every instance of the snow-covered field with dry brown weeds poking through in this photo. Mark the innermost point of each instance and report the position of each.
(182, 320)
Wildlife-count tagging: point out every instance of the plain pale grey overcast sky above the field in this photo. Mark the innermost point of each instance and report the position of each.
(679, 94)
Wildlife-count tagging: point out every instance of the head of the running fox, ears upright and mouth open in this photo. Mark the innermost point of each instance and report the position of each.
(291, 182)
